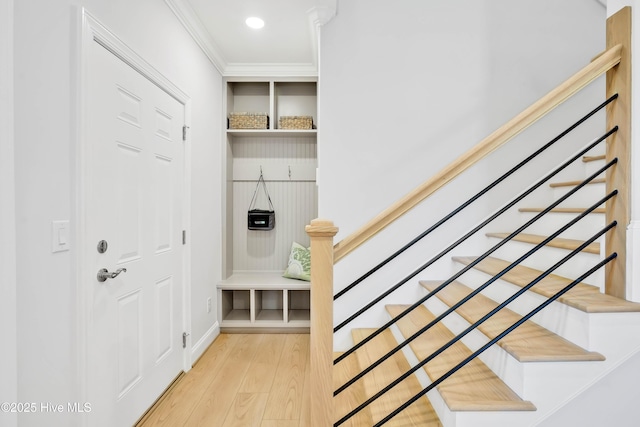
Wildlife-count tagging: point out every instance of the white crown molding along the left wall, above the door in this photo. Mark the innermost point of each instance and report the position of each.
(196, 29)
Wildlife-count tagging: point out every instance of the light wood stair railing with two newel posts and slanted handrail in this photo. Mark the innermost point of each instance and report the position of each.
(324, 254)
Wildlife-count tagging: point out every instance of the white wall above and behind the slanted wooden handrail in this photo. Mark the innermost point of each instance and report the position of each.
(406, 87)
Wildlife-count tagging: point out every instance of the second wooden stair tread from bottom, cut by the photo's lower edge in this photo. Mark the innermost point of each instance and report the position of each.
(421, 412)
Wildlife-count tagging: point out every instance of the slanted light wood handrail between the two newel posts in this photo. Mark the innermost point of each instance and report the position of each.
(600, 65)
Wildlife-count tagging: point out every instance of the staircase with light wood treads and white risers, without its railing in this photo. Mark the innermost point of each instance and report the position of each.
(528, 374)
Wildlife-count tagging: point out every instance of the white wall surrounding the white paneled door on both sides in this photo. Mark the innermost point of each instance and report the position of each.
(45, 34)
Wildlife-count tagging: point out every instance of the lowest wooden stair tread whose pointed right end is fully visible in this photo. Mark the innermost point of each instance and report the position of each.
(474, 387)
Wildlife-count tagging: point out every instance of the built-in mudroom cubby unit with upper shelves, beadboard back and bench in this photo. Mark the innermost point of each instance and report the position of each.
(254, 260)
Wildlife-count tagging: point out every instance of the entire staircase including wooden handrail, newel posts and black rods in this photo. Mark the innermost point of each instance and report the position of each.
(519, 334)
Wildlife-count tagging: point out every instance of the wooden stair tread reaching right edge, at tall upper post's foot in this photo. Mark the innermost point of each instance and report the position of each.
(583, 296)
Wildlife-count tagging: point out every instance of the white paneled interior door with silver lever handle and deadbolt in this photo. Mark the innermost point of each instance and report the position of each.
(136, 170)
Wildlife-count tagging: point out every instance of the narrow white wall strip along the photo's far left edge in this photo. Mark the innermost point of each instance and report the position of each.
(8, 362)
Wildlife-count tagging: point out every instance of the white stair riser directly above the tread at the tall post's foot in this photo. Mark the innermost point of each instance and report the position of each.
(546, 257)
